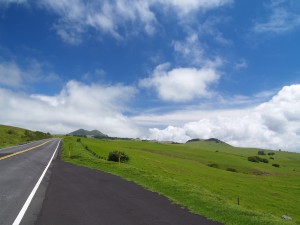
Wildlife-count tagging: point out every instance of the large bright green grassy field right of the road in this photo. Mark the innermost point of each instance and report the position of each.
(181, 172)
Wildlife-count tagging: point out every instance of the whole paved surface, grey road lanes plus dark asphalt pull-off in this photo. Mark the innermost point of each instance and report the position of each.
(73, 195)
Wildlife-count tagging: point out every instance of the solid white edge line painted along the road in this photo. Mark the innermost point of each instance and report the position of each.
(30, 197)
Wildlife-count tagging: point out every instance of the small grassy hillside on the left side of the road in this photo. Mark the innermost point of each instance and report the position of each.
(10, 136)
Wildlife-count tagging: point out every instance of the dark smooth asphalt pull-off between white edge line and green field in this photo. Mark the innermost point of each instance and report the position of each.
(81, 196)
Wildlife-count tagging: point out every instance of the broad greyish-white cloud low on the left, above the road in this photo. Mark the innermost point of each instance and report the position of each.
(76, 106)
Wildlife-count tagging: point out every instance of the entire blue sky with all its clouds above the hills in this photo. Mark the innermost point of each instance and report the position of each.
(165, 70)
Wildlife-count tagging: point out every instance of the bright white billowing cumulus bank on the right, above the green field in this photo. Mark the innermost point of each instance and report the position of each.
(274, 124)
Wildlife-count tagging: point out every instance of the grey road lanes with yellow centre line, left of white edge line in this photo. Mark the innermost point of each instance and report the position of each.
(20, 169)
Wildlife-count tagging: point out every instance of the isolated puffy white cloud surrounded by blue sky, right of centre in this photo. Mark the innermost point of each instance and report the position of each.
(181, 84)
